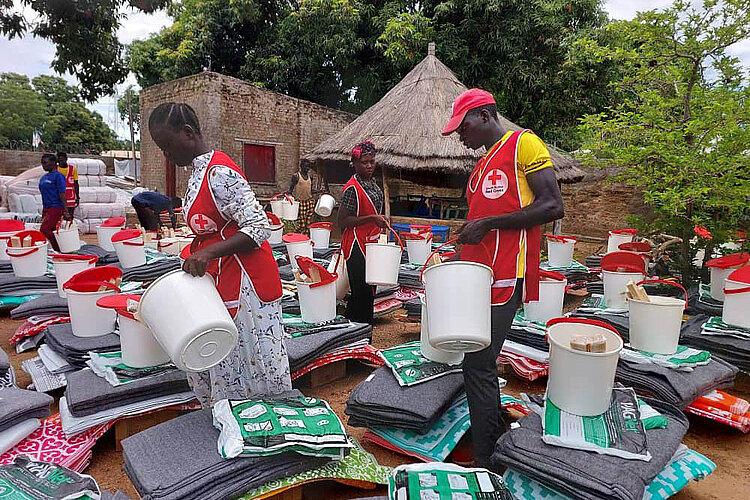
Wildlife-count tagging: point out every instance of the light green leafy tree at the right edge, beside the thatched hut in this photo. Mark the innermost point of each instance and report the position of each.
(681, 132)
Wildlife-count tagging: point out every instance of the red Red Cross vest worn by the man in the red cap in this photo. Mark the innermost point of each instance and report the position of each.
(494, 190)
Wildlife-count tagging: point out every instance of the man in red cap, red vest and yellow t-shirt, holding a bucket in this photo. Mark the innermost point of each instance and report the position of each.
(511, 193)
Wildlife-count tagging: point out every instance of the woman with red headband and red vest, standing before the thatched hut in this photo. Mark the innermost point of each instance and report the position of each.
(361, 222)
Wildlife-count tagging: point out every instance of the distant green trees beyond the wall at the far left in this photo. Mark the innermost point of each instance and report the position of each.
(53, 108)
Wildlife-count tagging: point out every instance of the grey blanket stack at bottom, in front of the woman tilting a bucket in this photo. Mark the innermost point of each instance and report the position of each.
(178, 460)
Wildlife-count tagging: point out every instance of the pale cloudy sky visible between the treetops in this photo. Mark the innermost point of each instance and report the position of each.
(32, 56)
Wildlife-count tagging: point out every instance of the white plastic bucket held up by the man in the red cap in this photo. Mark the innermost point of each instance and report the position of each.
(458, 298)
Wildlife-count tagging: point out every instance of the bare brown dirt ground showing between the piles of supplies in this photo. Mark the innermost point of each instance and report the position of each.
(728, 448)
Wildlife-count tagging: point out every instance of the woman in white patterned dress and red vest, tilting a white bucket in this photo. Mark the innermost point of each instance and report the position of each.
(230, 245)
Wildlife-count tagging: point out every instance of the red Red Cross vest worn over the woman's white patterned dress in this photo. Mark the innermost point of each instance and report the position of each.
(210, 227)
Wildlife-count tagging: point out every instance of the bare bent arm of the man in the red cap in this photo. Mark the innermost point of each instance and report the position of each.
(546, 207)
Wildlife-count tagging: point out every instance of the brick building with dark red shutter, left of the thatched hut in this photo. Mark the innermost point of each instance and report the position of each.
(266, 133)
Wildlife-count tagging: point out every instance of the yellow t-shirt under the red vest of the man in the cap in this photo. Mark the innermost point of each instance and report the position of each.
(532, 156)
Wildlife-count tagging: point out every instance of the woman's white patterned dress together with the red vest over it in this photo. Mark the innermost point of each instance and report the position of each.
(219, 203)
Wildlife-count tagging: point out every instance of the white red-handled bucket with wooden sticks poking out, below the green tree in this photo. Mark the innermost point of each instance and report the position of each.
(655, 325)
